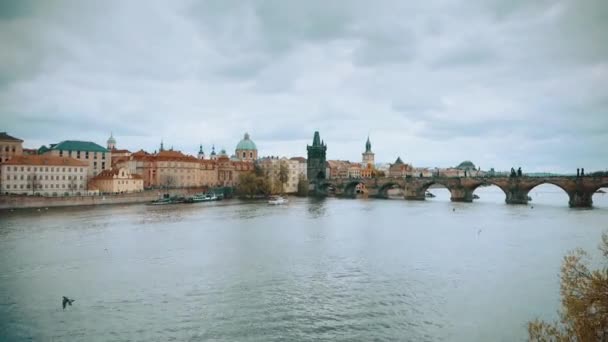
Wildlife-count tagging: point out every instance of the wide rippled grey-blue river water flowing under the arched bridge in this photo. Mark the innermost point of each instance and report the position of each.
(313, 270)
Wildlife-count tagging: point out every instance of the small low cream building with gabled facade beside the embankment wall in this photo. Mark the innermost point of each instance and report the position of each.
(117, 180)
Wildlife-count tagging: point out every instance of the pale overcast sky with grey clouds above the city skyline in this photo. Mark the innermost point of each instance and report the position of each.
(500, 82)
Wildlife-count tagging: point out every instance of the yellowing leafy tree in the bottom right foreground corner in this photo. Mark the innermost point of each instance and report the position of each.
(584, 311)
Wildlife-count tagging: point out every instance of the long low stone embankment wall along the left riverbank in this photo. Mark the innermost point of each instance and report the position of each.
(18, 202)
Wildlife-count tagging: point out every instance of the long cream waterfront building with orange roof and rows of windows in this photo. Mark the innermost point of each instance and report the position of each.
(45, 175)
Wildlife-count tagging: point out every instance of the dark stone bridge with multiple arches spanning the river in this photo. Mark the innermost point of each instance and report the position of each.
(580, 190)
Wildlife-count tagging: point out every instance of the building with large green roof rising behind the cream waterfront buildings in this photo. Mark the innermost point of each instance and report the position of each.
(97, 157)
